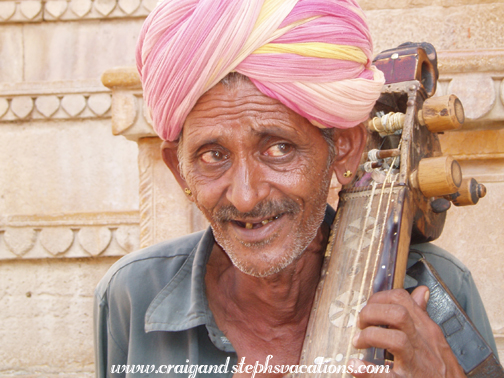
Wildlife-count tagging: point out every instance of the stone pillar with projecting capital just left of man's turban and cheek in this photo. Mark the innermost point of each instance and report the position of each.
(165, 212)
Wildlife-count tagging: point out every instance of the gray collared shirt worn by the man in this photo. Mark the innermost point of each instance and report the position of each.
(151, 309)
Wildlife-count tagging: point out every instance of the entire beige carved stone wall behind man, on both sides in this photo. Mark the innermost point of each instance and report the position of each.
(74, 196)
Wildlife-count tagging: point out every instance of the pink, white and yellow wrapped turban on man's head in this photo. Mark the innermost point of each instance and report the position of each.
(314, 56)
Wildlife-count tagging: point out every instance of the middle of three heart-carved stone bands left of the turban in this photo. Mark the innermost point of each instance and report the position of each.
(55, 106)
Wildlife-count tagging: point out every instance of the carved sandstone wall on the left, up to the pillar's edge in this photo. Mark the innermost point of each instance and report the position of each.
(69, 200)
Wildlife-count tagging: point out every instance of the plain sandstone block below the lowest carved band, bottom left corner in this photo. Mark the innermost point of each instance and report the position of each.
(47, 316)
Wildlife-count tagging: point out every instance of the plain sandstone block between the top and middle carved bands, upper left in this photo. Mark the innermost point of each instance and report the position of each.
(71, 50)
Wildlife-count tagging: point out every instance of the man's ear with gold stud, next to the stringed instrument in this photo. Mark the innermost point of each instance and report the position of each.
(349, 144)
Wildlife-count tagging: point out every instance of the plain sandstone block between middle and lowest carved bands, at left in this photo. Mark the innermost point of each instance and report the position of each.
(51, 168)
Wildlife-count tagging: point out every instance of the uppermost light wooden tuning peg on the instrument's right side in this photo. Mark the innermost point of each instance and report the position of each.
(442, 113)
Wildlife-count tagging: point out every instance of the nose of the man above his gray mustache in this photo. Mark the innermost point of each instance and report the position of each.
(247, 186)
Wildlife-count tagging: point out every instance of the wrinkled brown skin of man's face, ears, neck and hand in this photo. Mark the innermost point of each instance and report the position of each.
(260, 173)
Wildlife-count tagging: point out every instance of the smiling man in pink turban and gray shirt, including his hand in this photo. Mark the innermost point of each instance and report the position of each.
(258, 103)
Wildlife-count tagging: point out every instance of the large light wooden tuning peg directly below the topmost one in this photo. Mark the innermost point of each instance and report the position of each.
(437, 176)
